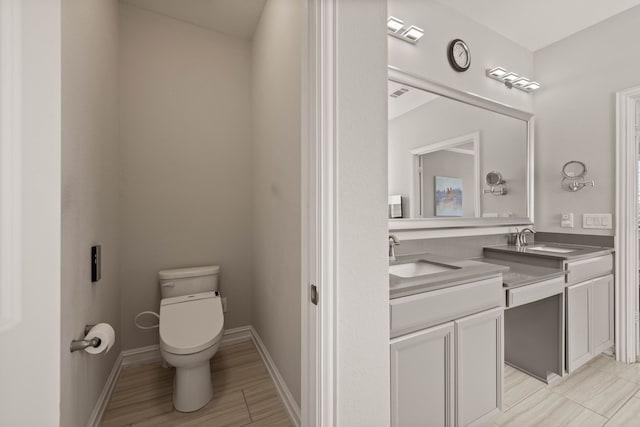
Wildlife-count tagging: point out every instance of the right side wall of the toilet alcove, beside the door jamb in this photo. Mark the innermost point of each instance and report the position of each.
(276, 203)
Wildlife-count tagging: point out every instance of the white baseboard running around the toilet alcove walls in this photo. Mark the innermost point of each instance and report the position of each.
(151, 353)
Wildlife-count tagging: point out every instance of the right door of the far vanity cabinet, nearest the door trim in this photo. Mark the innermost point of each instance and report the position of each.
(602, 314)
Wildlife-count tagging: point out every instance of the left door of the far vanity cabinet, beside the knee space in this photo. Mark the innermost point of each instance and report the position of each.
(579, 346)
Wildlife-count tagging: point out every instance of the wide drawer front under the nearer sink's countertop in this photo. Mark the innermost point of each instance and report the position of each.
(419, 311)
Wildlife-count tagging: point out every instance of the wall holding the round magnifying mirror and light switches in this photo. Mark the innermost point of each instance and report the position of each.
(575, 112)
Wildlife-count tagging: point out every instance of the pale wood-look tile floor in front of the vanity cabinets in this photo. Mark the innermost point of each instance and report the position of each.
(603, 392)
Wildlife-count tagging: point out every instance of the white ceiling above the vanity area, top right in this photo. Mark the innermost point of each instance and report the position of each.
(536, 24)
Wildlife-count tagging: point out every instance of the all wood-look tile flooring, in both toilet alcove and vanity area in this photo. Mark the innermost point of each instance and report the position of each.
(603, 392)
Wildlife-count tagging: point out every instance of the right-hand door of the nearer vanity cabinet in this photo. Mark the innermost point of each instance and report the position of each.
(479, 366)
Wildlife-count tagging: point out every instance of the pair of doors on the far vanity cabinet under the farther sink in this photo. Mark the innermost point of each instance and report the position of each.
(590, 328)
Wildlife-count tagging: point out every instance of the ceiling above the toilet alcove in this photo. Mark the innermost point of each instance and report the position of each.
(233, 17)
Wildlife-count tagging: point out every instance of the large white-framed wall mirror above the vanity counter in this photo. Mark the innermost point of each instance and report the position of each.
(456, 159)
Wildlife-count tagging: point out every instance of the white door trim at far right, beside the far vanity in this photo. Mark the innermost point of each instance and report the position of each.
(626, 231)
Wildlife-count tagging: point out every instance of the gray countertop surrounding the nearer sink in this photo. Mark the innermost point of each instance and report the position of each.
(465, 271)
